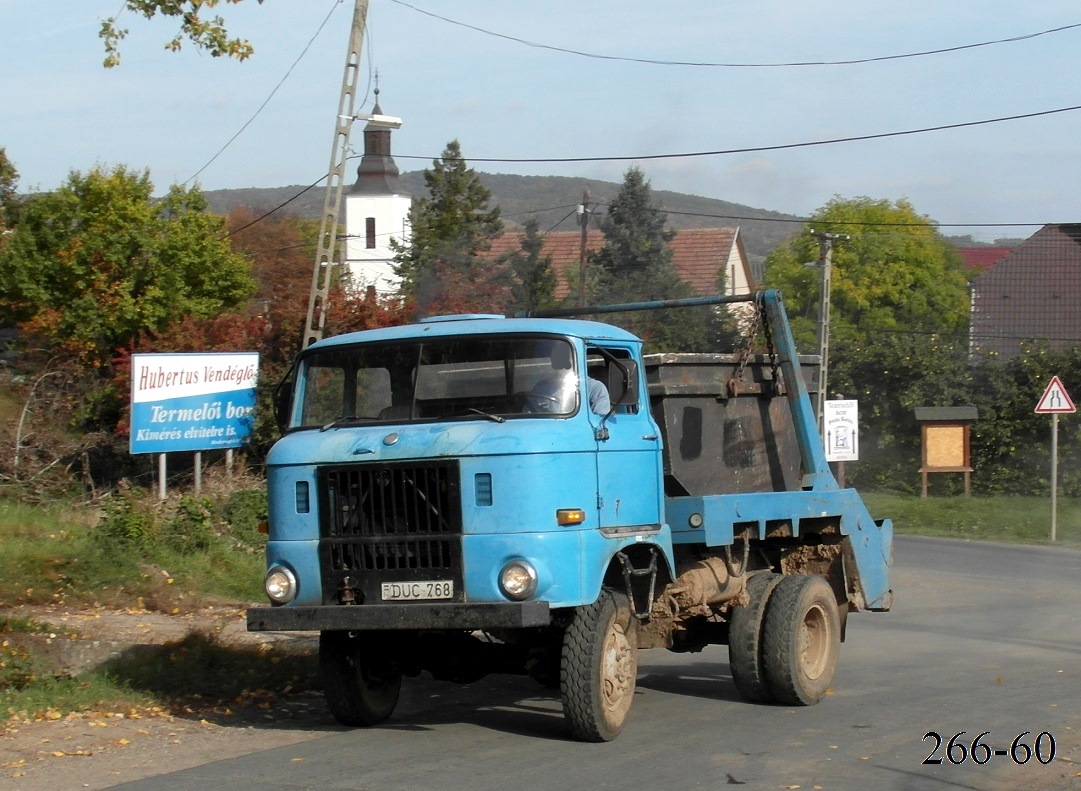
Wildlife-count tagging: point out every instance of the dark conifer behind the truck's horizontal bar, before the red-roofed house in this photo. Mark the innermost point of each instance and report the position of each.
(636, 264)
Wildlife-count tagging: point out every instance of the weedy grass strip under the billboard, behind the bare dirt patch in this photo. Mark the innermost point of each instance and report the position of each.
(172, 557)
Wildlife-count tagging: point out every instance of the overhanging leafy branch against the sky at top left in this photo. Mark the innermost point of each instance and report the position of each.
(208, 35)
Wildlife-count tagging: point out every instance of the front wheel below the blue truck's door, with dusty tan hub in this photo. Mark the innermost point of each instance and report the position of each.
(598, 668)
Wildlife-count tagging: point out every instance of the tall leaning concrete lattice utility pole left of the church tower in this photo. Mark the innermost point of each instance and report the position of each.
(322, 278)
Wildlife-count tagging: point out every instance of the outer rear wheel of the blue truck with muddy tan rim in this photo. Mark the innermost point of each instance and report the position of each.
(802, 640)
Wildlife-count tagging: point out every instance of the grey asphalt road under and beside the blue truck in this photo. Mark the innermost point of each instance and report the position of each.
(983, 638)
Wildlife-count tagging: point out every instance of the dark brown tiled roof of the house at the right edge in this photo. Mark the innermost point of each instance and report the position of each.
(1031, 296)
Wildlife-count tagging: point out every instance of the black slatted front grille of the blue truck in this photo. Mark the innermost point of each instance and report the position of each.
(390, 524)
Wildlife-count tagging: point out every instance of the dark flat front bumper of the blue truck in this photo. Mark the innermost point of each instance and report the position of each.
(510, 615)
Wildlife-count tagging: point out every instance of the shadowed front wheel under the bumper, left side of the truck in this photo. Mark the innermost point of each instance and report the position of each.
(362, 688)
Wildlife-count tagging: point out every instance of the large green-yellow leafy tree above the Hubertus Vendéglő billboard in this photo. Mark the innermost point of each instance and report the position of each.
(97, 264)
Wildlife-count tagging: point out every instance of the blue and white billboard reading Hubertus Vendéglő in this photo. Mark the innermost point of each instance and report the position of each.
(192, 403)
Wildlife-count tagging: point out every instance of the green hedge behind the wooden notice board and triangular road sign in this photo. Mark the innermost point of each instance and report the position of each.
(1010, 444)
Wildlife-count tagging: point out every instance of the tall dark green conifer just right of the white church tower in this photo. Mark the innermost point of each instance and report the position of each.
(442, 267)
